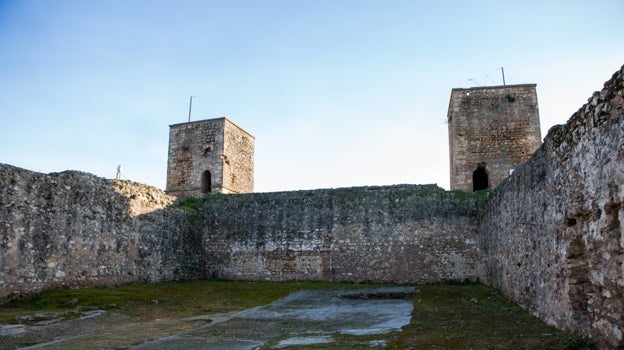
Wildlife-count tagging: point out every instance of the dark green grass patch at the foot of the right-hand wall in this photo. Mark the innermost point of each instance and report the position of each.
(474, 316)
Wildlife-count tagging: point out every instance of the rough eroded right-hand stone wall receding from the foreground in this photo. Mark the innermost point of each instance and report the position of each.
(552, 234)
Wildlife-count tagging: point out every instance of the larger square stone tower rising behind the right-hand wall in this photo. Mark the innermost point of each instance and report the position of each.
(495, 125)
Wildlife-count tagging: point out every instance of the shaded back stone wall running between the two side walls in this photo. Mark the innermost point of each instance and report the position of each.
(405, 234)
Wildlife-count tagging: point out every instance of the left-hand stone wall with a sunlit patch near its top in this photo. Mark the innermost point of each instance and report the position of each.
(73, 229)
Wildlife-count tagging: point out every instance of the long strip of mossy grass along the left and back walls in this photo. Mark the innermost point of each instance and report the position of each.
(160, 300)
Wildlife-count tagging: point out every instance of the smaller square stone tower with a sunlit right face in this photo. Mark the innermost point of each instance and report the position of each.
(209, 156)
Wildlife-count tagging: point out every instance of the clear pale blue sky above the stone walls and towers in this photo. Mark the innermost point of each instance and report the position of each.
(337, 92)
